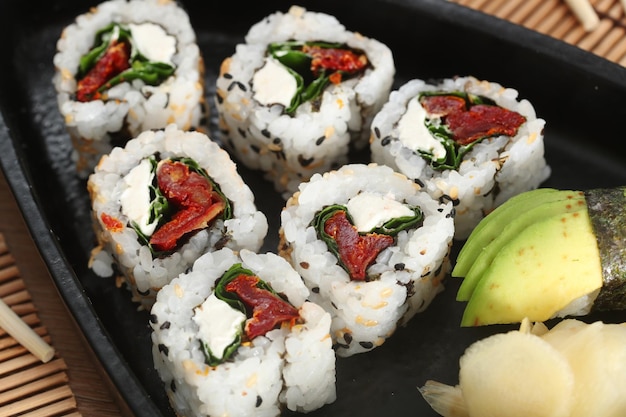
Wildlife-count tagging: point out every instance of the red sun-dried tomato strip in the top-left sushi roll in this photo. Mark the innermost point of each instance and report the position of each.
(113, 62)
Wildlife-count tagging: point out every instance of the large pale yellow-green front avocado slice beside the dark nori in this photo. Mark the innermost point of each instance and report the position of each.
(543, 269)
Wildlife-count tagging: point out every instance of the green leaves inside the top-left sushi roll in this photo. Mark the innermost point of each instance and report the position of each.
(152, 73)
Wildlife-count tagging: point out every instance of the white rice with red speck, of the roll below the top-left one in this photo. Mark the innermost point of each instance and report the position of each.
(120, 251)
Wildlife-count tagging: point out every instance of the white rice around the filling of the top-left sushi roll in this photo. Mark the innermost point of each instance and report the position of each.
(130, 107)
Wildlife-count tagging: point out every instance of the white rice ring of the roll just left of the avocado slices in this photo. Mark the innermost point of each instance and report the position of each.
(405, 277)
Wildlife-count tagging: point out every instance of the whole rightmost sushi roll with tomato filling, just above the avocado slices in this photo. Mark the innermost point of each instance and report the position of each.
(470, 141)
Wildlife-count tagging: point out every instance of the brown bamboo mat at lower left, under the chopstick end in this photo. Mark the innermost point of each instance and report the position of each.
(28, 387)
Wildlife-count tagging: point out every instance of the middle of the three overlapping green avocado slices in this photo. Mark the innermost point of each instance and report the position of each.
(568, 201)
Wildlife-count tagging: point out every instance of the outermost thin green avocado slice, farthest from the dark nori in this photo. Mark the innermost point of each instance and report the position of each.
(491, 226)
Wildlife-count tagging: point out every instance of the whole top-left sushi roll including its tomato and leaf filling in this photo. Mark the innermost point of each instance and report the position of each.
(125, 67)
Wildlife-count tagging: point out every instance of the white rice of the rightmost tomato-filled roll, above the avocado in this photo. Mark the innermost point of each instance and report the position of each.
(493, 171)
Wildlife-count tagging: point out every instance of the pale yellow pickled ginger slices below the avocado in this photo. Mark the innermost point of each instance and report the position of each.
(572, 370)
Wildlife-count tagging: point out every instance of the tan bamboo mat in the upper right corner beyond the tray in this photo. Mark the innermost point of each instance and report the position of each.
(554, 18)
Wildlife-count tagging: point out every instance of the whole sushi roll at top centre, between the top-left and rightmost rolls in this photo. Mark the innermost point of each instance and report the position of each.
(299, 94)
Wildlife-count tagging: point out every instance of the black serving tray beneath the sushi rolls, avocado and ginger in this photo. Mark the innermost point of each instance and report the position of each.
(581, 96)
